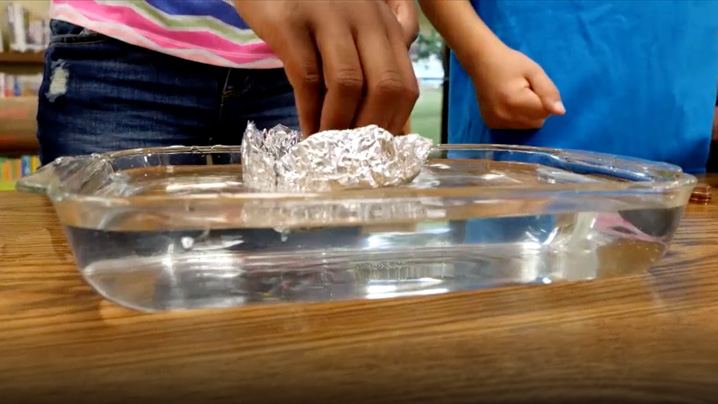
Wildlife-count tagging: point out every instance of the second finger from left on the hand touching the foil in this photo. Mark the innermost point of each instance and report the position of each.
(343, 78)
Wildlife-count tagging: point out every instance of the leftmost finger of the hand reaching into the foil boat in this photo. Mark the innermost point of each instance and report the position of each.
(303, 71)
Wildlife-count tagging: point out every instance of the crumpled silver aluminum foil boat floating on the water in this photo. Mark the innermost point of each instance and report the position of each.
(369, 157)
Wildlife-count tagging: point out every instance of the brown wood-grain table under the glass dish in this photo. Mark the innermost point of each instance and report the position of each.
(650, 338)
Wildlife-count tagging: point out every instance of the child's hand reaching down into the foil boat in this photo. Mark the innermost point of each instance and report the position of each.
(347, 60)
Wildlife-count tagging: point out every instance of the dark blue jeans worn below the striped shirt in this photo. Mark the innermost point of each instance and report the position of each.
(99, 94)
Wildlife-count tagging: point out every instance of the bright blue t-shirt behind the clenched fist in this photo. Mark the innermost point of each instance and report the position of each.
(638, 78)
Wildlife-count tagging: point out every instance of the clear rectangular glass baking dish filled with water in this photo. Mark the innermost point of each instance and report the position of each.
(174, 228)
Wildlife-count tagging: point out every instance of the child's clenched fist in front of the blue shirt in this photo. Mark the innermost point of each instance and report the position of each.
(513, 91)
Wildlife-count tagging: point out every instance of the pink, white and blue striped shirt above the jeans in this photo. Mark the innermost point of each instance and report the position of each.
(205, 31)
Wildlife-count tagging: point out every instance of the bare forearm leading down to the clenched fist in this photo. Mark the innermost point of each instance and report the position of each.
(463, 30)
